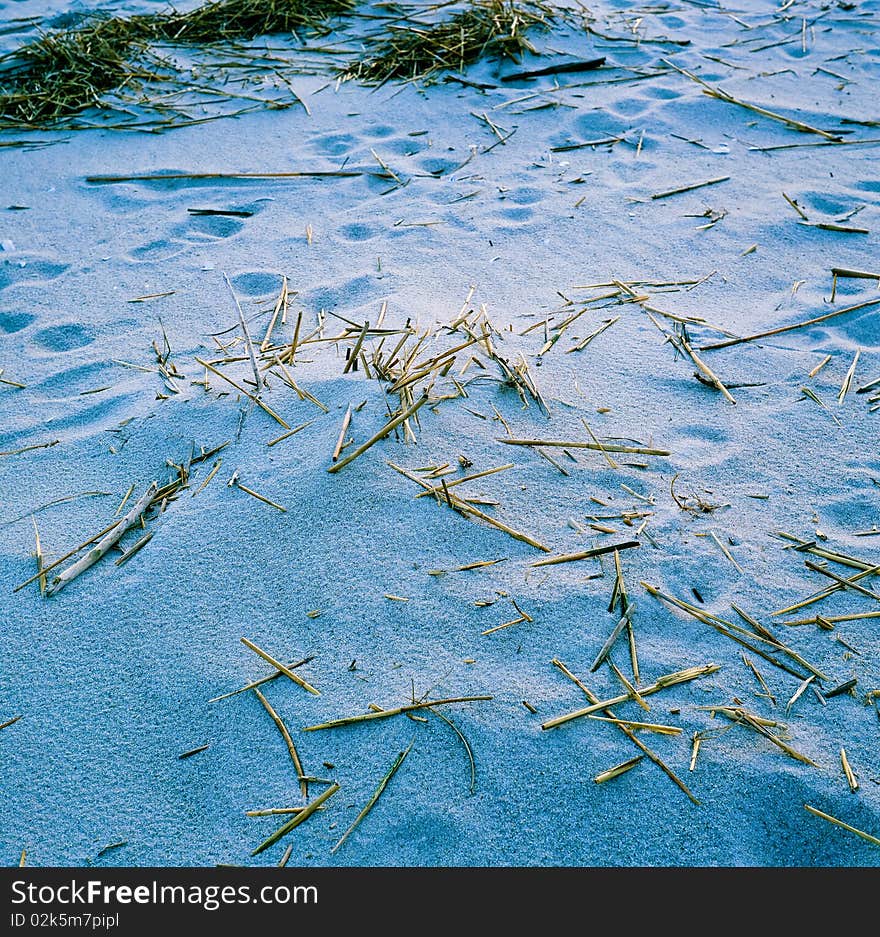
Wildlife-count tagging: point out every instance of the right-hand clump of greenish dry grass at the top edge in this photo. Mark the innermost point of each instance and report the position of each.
(483, 27)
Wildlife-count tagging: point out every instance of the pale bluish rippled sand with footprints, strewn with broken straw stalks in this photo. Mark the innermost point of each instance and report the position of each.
(112, 676)
